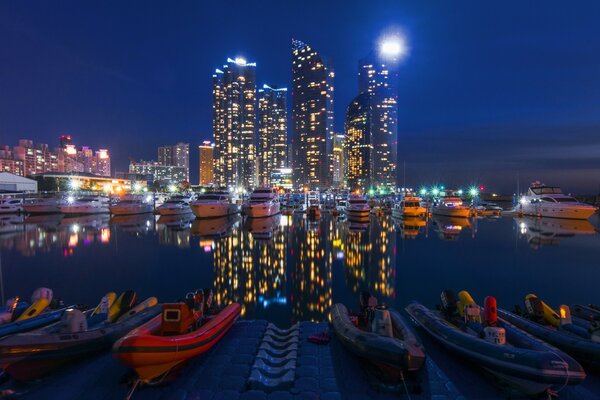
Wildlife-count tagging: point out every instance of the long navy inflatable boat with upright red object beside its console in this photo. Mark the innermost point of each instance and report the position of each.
(514, 357)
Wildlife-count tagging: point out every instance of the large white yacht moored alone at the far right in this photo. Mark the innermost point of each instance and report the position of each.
(547, 201)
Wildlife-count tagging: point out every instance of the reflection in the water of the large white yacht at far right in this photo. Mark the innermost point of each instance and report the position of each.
(540, 232)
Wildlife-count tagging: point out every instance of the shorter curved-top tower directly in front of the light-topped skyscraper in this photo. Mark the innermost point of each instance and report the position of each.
(359, 143)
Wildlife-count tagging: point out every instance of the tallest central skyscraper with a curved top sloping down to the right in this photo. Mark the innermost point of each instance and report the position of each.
(312, 118)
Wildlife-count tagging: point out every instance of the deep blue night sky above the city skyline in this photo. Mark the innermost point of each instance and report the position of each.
(488, 91)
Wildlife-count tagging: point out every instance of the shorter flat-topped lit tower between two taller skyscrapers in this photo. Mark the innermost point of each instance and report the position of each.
(272, 132)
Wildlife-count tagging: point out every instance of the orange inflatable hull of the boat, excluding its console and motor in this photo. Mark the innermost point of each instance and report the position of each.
(151, 355)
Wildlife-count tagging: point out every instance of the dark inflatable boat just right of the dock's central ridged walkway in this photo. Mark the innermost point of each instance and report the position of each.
(381, 336)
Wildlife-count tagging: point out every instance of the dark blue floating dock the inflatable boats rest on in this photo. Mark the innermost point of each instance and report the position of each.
(258, 361)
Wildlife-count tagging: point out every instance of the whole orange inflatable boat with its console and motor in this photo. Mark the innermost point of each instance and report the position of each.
(180, 332)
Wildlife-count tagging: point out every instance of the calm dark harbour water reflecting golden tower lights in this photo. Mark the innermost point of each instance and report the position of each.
(287, 268)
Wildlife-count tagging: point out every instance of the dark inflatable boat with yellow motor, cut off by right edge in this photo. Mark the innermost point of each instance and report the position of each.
(577, 336)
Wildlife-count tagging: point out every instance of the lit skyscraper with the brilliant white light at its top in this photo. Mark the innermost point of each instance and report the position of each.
(378, 78)
